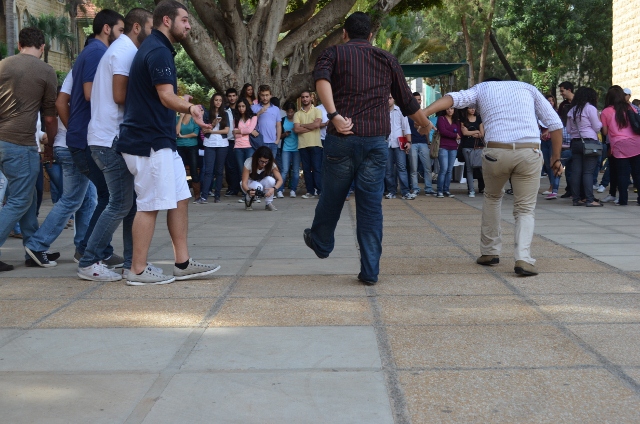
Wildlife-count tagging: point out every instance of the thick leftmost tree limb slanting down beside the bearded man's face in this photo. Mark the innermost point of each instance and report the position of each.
(208, 59)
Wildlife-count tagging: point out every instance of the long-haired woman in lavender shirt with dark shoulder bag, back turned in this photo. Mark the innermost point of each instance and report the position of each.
(583, 124)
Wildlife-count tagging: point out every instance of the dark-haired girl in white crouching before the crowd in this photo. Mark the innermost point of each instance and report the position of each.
(261, 173)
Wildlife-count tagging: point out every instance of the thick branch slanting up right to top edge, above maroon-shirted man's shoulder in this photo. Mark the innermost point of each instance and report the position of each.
(330, 15)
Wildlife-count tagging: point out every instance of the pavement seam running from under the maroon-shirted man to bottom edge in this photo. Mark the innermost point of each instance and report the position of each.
(397, 399)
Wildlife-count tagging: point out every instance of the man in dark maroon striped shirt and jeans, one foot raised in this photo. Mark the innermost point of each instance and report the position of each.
(354, 80)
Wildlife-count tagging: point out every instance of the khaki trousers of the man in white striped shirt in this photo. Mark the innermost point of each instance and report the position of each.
(523, 167)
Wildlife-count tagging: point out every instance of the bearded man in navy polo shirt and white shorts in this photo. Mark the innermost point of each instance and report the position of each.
(148, 145)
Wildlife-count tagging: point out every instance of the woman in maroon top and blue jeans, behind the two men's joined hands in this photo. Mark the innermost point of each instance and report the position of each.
(450, 132)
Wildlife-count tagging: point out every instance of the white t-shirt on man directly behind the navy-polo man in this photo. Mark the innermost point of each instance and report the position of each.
(106, 115)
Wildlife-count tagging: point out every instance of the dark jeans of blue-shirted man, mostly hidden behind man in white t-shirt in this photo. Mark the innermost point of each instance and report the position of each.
(86, 165)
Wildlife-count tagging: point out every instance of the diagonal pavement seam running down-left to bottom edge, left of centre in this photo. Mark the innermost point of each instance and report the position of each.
(144, 406)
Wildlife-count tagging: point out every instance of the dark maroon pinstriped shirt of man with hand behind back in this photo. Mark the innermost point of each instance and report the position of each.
(361, 77)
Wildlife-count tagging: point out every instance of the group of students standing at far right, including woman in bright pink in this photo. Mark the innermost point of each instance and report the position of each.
(613, 128)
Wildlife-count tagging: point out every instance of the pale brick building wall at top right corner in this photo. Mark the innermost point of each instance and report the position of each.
(626, 48)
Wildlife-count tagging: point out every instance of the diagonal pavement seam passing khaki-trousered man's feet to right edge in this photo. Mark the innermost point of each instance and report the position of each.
(615, 370)
